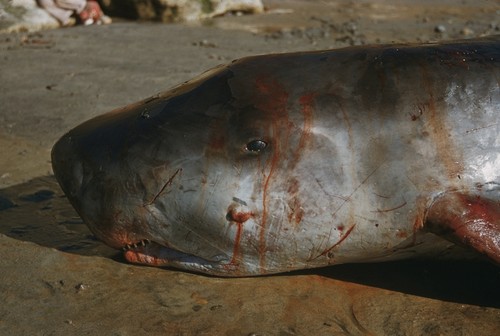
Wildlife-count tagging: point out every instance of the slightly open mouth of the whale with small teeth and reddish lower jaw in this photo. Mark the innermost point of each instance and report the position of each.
(152, 253)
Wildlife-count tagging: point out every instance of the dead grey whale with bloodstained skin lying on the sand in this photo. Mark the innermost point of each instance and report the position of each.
(289, 161)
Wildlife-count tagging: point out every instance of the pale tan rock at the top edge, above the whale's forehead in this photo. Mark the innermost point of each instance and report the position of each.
(178, 10)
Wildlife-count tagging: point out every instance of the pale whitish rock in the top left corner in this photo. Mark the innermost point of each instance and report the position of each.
(24, 16)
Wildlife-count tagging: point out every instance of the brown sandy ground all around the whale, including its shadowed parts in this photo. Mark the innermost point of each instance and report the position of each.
(57, 279)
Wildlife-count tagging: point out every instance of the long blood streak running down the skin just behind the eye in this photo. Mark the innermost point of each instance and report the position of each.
(272, 99)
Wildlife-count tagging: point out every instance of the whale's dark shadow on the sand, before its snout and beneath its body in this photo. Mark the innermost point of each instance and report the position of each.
(38, 211)
